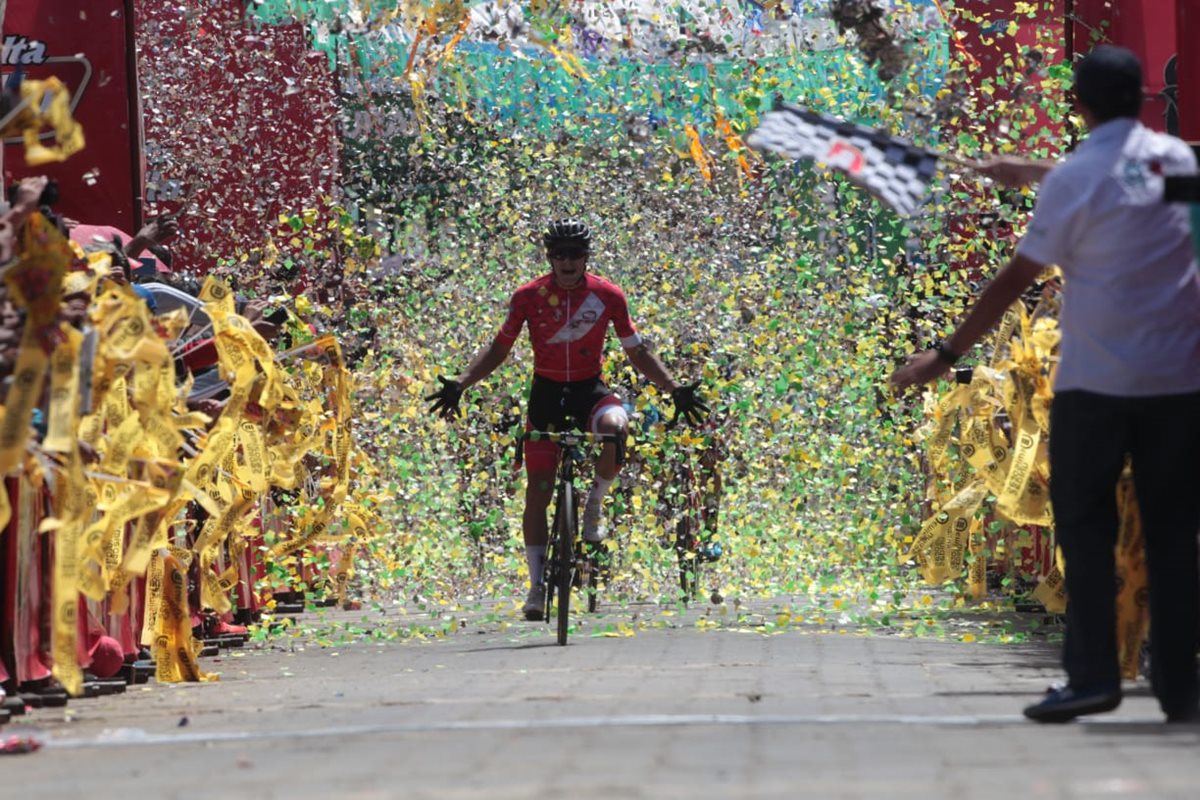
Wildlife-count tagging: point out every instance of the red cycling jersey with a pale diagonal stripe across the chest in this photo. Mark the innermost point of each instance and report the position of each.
(568, 328)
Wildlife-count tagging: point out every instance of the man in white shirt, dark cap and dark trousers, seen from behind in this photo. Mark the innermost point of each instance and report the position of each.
(1129, 383)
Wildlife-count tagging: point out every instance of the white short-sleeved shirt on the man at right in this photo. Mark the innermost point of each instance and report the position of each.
(1131, 314)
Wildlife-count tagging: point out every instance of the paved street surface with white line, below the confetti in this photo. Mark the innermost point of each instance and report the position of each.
(667, 713)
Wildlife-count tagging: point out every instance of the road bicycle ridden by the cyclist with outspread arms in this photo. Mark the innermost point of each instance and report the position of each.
(569, 562)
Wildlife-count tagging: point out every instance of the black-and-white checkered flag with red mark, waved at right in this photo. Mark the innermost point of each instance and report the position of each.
(898, 173)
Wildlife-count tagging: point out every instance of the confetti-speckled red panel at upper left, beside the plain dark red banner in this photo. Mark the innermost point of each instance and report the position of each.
(241, 125)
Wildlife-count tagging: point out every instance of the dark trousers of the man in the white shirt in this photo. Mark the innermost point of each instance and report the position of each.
(1090, 438)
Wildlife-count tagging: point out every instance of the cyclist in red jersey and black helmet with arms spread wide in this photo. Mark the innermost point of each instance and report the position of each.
(568, 311)
